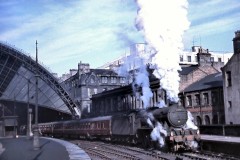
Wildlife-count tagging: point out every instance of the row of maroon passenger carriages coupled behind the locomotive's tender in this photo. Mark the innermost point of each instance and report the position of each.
(99, 127)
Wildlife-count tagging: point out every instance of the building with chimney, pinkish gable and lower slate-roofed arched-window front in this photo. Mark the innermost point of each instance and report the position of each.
(201, 89)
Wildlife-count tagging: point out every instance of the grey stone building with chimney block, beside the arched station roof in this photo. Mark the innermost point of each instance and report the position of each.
(87, 82)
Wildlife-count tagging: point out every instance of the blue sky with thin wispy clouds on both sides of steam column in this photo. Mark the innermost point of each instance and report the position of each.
(99, 31)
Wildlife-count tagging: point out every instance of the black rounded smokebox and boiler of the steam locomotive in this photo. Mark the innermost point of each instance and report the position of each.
(175, 115)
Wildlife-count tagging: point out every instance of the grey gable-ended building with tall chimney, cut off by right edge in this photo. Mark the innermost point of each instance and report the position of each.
(231, 84)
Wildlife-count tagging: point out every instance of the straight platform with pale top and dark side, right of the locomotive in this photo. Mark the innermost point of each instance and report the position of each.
(221, 144)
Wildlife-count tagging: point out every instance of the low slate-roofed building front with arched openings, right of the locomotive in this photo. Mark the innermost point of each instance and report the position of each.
(204, 99)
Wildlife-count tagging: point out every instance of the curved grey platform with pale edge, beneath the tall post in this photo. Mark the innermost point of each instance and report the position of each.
(50, 149)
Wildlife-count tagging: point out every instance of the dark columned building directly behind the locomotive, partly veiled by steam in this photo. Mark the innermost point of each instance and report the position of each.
(125, 100)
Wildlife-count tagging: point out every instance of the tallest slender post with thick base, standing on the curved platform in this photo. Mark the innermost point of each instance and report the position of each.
(35, 129)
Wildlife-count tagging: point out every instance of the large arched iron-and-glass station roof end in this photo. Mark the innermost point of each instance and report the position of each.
(17, 81)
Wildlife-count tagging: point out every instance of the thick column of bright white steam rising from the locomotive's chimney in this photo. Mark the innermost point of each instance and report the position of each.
(163, 24)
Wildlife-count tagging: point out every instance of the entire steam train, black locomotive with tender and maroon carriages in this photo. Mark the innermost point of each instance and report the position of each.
(134, 127)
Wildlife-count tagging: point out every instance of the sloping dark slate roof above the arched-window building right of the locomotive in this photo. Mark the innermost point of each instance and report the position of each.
(210, 81)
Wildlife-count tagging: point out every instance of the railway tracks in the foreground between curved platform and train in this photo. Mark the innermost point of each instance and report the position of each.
(106, 151)
